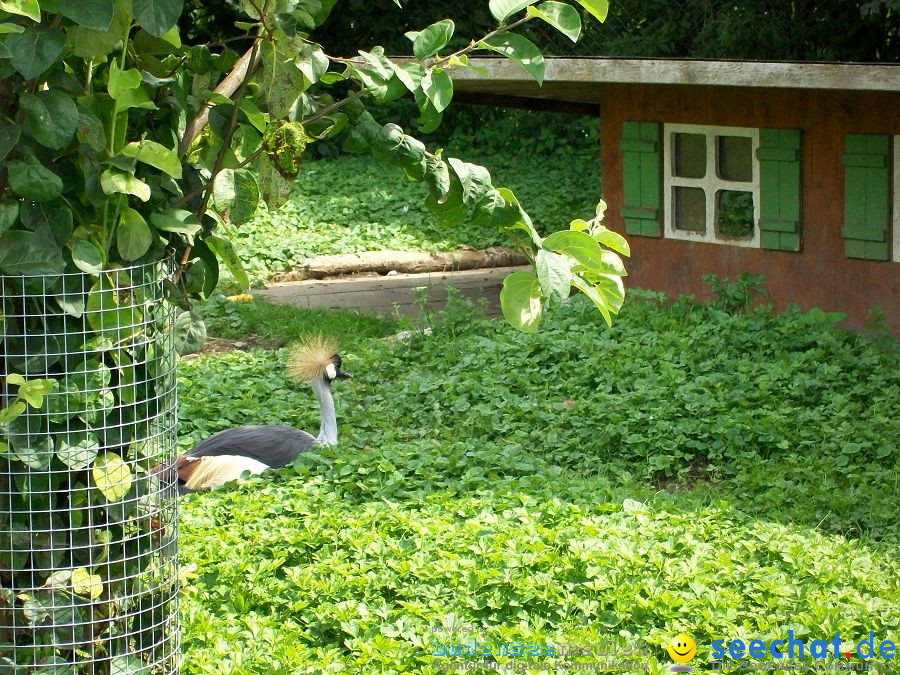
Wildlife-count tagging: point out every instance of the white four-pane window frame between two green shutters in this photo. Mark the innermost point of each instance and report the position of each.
(710, 183)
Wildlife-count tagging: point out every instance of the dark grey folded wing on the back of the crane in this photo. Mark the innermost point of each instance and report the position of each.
(274, 446)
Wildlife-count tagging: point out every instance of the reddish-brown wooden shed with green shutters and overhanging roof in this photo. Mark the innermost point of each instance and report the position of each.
(789, 170)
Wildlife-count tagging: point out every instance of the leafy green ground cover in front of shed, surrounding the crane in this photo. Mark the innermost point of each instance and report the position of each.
(690, 469)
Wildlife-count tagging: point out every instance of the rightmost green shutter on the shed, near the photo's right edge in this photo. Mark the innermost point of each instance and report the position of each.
(866, 196)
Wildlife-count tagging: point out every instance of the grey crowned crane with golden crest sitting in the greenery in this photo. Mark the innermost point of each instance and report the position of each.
(225, 456)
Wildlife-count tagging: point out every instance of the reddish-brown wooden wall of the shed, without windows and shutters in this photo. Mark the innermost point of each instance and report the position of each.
(820, 275)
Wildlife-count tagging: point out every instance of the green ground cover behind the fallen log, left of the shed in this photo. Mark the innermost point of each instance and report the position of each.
(347, 204)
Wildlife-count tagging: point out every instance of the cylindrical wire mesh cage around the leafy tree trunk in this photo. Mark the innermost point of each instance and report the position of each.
(88, 557)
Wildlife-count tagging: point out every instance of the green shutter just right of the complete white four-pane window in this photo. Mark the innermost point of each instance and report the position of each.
(779, 189)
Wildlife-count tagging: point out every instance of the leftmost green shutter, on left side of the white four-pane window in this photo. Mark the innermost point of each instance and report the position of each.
(641, 177)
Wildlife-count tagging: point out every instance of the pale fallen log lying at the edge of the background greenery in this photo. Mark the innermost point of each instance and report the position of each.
(406, 262)
